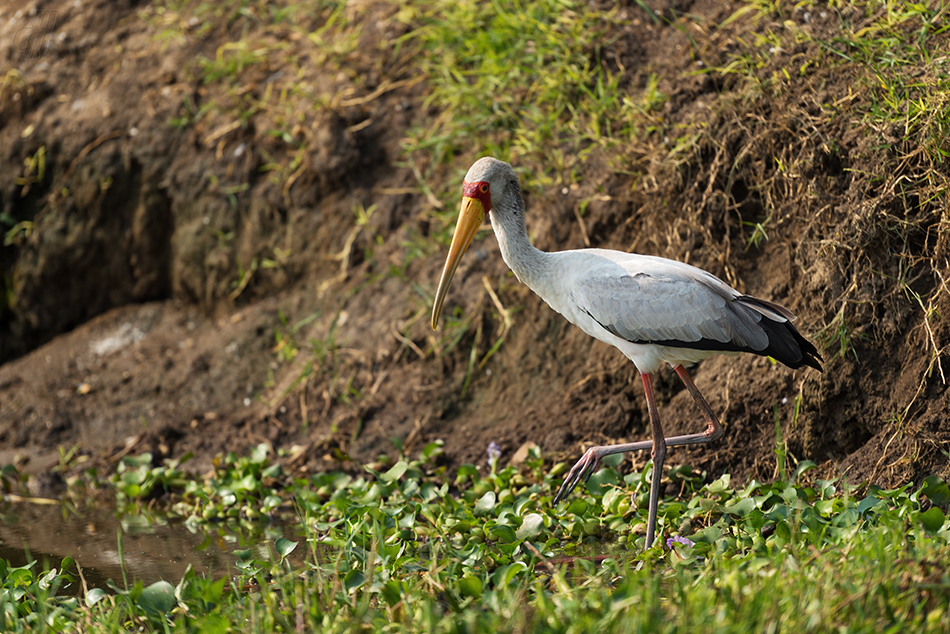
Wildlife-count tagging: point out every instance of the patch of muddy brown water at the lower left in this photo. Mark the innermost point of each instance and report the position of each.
(152, 547)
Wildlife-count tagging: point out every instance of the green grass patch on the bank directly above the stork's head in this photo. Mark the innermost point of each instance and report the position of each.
(524, 82)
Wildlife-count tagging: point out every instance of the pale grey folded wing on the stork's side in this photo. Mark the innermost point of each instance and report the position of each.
(676, 308)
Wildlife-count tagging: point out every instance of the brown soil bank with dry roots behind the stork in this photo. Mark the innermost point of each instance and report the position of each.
(137, 321)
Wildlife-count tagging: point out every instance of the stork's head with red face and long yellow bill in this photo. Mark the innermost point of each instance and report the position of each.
(489, 184)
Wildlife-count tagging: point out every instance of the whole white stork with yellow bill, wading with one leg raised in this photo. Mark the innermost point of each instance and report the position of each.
(654, 310)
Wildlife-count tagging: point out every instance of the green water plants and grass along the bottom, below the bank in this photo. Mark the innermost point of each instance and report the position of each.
(410, 547)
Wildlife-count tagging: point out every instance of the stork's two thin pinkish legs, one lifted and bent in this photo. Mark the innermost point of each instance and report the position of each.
(584, 467)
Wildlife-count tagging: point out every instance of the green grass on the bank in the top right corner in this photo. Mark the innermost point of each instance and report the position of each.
(892, 51)
